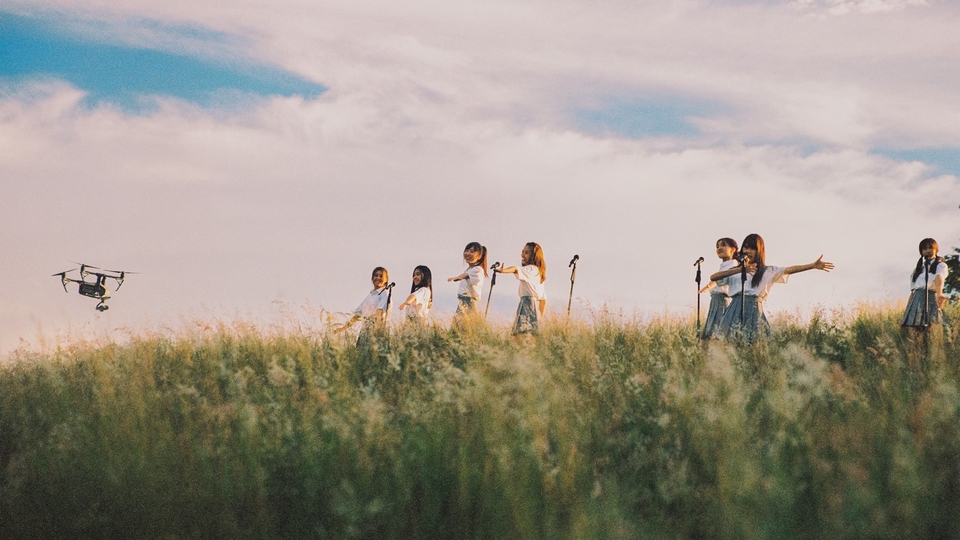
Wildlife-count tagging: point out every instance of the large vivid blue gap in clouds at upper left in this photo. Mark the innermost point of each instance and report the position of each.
(32, 48)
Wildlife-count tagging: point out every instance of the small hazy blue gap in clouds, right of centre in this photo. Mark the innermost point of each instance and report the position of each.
(651, 116)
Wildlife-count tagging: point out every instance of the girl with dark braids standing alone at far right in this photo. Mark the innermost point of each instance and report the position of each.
(926, 288)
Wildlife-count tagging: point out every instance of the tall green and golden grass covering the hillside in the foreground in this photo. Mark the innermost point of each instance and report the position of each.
(836, 427)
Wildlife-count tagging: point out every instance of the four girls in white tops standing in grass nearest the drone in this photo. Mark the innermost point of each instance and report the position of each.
(531, 274)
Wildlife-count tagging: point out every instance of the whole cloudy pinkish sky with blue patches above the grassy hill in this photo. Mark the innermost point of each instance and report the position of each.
(255, 160)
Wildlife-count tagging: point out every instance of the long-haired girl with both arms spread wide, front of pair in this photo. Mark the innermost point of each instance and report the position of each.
(744, 317)
